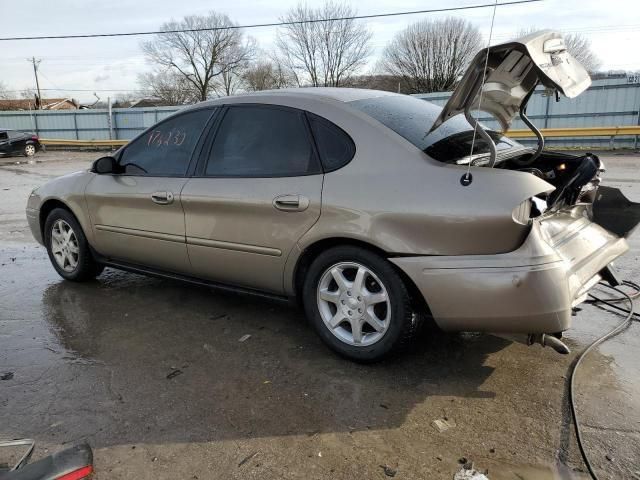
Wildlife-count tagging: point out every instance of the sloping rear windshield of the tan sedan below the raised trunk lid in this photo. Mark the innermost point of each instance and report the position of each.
(412, 118)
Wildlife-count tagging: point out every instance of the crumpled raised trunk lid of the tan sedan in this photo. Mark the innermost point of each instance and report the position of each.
(513, 70)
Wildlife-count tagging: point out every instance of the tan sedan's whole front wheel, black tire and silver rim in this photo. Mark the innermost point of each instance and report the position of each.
(68, 248)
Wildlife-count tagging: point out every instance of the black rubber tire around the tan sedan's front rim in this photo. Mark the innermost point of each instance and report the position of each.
(86, 268)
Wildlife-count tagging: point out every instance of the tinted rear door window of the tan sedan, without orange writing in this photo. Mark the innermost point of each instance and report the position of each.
(259, 141)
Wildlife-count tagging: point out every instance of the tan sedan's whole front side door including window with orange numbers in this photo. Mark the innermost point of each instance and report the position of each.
(136, 214)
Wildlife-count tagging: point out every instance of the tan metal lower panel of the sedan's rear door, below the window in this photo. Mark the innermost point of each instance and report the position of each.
(236, 235)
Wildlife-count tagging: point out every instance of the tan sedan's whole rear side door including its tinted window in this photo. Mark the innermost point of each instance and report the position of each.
(256, 192)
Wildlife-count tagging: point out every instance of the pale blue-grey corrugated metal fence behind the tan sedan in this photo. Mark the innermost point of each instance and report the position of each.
(608, 102)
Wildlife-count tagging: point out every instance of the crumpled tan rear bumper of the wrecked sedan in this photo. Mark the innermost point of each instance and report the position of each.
(529, 290)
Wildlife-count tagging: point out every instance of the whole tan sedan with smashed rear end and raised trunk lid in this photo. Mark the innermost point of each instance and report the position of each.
(376, 210)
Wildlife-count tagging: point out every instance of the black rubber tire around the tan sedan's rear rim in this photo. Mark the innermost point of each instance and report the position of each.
(403, 322)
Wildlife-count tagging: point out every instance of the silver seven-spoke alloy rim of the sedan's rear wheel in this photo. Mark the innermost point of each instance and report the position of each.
(354, 304)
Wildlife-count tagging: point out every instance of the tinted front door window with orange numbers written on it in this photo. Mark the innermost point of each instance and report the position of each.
(166, 148)
